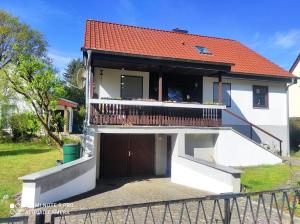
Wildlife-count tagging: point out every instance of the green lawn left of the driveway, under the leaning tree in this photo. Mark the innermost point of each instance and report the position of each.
(18, 159)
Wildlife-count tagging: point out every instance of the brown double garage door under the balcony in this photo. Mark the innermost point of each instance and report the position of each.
(125, 155)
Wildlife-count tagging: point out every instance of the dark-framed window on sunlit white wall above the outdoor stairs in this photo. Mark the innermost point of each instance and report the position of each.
(261, 96)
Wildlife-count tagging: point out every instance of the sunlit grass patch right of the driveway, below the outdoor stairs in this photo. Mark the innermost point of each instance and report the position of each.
(261, 178)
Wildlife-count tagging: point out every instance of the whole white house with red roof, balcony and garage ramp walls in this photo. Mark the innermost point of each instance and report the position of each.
(174, 104)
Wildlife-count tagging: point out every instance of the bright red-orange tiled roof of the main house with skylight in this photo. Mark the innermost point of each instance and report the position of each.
(159, 43)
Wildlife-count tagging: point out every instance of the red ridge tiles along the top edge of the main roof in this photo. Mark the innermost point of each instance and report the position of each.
(161, 30)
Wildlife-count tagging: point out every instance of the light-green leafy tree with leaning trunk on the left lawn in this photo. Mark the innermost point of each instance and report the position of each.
(37, 82)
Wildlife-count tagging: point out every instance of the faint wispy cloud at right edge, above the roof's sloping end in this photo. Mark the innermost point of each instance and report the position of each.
(287, 40)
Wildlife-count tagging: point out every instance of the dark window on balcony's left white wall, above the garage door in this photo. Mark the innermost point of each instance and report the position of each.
(131, 87)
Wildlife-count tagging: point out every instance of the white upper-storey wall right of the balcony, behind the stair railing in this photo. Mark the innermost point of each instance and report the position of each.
(273, 119)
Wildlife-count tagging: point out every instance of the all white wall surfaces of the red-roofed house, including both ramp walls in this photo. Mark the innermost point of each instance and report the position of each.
(201, 157)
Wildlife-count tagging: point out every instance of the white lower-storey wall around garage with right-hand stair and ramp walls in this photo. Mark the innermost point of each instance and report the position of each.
(224, 145)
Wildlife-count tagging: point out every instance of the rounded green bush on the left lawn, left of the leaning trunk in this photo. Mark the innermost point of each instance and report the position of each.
(24, 126)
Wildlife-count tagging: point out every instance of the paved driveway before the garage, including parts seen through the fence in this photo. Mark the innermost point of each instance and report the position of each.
(132, 191)
